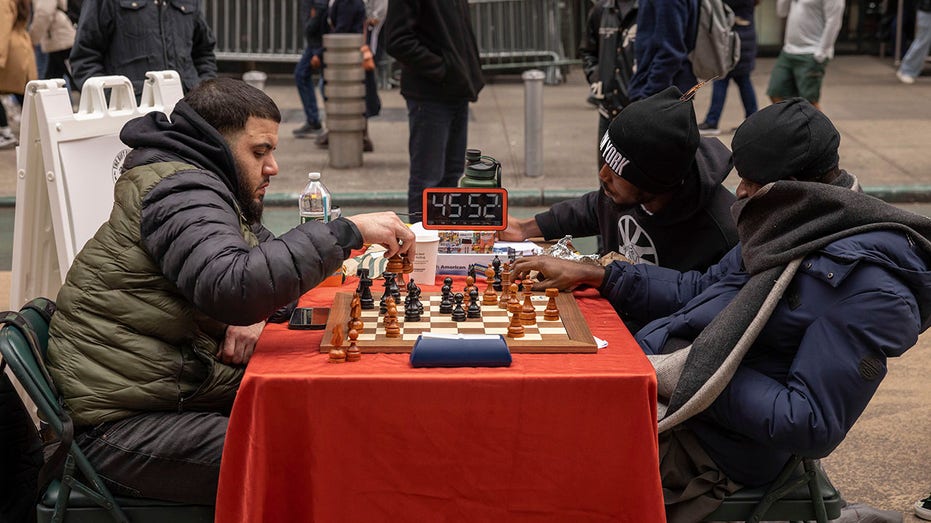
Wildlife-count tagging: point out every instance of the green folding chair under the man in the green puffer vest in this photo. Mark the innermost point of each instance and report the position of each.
(78, 492)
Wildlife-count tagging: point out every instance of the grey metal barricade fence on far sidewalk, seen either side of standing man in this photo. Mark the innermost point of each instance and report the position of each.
(512, 35)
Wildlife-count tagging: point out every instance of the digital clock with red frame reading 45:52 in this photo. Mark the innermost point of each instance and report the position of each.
(462, 208)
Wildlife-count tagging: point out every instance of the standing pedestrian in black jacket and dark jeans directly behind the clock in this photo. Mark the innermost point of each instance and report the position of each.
(441, 73)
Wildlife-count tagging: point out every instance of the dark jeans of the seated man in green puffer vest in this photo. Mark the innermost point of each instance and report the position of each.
(160, 455)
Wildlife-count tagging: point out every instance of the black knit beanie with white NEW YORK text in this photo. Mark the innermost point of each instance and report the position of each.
(651, 143)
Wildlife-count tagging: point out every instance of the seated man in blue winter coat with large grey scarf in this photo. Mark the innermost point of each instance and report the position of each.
(825, 285)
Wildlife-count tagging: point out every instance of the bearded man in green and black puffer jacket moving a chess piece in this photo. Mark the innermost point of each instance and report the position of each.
(161, 310)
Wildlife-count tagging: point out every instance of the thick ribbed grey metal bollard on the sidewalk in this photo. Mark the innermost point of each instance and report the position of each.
(345, 98)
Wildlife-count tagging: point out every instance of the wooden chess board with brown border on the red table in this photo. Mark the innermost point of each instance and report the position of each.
(569, 333)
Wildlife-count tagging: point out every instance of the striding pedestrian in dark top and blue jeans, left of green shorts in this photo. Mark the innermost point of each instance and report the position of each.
(743, 24)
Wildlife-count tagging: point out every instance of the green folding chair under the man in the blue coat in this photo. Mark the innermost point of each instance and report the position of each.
(801, 492)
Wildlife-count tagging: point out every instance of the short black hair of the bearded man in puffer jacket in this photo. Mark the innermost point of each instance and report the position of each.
(227, 103)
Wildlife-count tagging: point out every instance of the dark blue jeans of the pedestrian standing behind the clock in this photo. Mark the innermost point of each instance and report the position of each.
(438, 135)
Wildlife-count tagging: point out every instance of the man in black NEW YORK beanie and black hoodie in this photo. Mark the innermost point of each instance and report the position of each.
(661, 201)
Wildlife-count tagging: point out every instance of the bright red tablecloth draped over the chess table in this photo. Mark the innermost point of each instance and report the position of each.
(553, 437)
